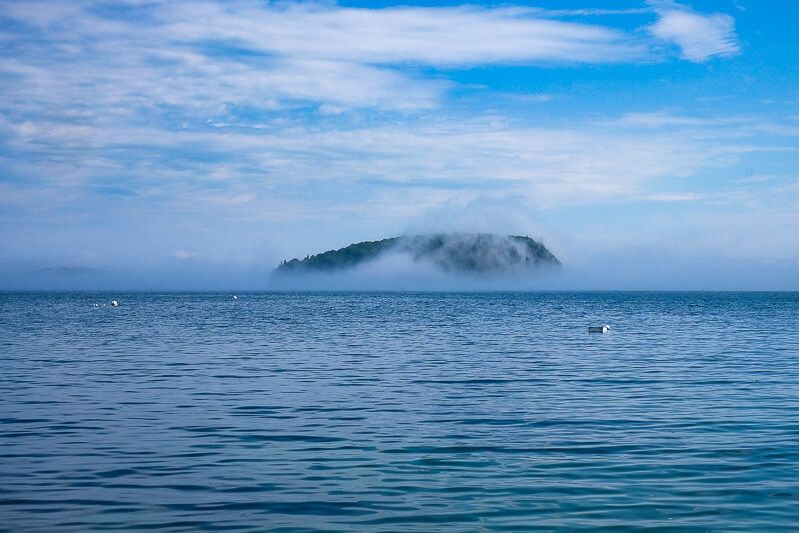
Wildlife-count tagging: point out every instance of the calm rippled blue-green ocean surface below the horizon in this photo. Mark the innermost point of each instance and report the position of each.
(399, 412)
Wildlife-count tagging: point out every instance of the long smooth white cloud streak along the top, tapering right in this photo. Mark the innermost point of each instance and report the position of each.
(434, 36)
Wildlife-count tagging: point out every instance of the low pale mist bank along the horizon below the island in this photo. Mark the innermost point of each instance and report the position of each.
(616, 270)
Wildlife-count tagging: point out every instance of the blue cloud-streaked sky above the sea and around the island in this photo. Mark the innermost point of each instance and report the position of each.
(194, 145)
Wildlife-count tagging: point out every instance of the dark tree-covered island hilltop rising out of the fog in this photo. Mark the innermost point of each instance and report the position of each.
(455, 252)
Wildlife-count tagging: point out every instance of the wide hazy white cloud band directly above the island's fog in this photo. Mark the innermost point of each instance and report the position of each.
(584, 164)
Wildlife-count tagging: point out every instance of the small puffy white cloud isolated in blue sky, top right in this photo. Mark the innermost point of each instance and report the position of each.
(700, 37)
